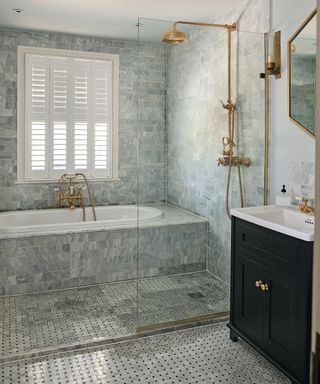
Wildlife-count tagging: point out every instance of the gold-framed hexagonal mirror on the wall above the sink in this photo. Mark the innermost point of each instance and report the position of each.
(302, 75)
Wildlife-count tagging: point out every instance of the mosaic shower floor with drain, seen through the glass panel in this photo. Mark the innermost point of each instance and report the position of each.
(180, 297)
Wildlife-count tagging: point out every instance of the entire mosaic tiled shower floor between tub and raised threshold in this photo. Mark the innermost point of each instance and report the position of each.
(35, 322)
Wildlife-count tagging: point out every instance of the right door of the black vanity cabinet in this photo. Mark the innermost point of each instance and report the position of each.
(285, 312)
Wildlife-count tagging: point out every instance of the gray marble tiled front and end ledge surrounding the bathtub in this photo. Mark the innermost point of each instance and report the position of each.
(176, 243)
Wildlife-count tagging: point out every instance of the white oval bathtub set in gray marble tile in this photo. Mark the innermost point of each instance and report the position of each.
(64, 220)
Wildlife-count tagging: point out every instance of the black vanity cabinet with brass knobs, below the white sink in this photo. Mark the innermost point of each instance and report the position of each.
(271, 286)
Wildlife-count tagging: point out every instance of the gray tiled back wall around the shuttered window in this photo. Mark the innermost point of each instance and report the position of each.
(151, 60)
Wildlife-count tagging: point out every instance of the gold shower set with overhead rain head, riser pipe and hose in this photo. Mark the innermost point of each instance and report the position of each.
(229, 159)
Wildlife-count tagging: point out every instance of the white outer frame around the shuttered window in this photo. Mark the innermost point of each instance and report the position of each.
(22, 145)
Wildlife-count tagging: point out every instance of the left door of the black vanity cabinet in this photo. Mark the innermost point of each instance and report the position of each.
(248, 302)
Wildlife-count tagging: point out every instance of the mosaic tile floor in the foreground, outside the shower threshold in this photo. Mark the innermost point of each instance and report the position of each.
(198, 355)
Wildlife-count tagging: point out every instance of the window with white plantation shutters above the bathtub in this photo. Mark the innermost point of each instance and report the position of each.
(68, 114)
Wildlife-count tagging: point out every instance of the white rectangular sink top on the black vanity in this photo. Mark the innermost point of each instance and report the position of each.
(287, 220)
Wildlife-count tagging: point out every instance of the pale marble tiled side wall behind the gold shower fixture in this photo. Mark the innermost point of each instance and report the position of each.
(197, 81)
